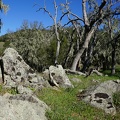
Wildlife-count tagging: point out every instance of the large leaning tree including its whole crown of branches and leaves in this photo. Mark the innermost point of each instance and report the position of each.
(90, 21)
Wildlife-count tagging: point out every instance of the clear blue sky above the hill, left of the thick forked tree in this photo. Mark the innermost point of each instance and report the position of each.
(20, 10)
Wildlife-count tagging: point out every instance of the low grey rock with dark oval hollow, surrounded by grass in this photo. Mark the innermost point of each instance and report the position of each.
(100, 95)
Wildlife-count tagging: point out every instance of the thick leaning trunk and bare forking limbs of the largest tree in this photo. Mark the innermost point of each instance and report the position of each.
(91, 23)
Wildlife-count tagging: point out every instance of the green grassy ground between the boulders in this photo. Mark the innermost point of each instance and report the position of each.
(65, 105)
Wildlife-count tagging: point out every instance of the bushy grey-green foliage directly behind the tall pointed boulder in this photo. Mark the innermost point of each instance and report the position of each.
(32, 45)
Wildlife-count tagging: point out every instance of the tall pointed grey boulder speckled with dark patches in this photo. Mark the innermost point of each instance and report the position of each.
(17, 71)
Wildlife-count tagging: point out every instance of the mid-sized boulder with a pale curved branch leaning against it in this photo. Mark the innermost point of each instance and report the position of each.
(56, 76)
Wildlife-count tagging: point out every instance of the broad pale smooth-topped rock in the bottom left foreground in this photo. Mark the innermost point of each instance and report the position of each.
(22, 107)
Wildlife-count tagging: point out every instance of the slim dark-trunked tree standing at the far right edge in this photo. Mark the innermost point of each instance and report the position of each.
(113, 28)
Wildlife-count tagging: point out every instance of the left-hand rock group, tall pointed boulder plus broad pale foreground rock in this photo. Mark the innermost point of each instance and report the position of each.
(24, 105)
